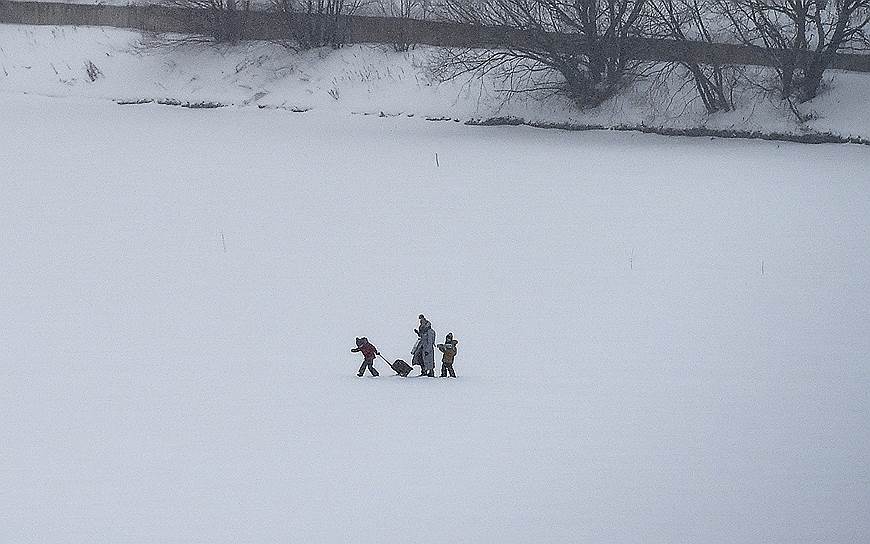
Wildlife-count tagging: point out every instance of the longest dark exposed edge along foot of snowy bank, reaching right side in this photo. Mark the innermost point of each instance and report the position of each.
(809, 138)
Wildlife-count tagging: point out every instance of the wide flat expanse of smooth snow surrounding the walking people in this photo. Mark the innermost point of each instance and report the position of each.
(662, 340)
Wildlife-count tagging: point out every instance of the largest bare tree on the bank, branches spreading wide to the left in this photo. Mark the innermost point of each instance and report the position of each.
(581, 41)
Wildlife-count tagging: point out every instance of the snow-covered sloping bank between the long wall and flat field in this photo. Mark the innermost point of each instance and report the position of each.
(54, 61)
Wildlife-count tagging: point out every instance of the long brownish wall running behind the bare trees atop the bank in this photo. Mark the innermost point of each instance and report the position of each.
(276, 26)
